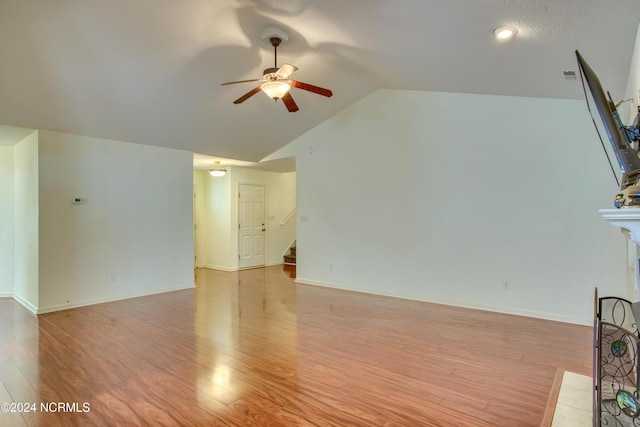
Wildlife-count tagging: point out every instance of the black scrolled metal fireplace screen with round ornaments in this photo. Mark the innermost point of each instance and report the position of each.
(616, 375)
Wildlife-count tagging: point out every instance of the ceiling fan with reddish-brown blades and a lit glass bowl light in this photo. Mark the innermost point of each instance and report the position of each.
(276, 82)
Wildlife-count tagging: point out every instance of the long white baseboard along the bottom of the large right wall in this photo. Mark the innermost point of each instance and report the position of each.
(496, 309)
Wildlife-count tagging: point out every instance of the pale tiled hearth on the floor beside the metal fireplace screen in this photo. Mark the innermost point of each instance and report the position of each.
(574, 407)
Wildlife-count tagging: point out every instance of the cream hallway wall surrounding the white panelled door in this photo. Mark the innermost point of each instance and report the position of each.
(217, 215)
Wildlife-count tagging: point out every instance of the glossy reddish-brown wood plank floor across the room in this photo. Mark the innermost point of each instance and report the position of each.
(253, 348)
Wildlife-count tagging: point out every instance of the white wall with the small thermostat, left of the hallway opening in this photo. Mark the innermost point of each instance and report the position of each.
(133, 236)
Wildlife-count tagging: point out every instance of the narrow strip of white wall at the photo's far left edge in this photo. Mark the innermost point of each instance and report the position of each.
(7, 227)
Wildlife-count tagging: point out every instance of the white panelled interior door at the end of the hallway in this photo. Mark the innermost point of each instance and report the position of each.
(251, 240)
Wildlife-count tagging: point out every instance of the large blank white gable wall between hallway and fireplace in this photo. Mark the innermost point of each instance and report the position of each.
(445, 197)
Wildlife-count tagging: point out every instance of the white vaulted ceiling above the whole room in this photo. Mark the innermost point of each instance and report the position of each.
(149, 71)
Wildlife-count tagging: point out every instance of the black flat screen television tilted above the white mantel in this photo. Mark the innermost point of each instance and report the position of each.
(627, 157)
